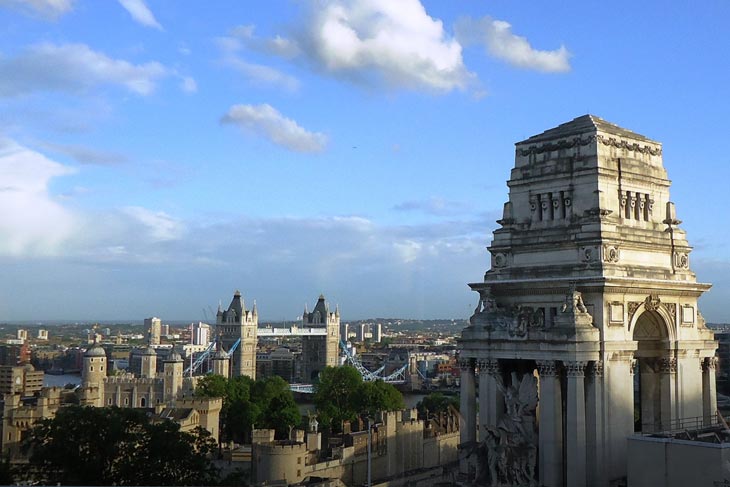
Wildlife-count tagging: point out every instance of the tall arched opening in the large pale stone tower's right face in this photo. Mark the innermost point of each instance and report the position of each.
(652, 375)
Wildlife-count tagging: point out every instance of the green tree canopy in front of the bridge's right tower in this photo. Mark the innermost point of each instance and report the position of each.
(340, 394)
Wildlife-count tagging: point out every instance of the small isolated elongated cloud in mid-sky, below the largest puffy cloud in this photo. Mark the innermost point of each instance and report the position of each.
(266, 121)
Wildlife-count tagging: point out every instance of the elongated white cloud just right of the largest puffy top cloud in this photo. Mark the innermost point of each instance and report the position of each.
(500, 42)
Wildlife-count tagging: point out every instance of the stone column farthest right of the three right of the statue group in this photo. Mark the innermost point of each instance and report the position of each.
(595, 472)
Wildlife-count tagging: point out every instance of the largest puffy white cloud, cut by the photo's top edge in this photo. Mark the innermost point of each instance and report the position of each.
(376, 41)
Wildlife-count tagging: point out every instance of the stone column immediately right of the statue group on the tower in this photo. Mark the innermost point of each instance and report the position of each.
(550, 425)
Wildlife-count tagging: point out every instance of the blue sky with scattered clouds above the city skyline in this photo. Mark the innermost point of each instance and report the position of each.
(157, 155)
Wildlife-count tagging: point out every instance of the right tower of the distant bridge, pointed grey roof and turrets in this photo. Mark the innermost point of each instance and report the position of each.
(320, 351)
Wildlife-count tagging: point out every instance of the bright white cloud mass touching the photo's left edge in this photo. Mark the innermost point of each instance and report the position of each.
(32, 222)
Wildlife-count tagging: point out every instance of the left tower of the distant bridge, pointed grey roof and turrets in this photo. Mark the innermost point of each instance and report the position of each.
(234, 324)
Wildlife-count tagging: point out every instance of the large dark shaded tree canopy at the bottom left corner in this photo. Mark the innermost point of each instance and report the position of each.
(106, 446)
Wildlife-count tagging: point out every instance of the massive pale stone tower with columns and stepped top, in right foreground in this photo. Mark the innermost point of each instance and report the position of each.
(591, 296)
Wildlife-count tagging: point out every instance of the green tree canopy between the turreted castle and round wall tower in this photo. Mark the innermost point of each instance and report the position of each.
(264, 403)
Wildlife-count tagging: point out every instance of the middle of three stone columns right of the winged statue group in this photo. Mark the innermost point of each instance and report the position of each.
(575, 427)
